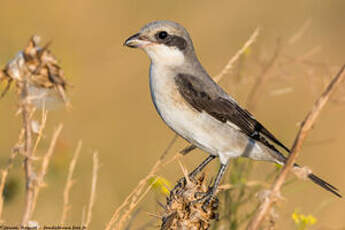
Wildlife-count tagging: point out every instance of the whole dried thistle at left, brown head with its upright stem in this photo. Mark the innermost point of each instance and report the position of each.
(34, 66)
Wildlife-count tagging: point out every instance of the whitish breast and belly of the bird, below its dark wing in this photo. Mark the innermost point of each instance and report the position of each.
(198, 128)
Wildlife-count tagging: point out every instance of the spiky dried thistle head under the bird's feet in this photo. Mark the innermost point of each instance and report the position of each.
(184, 211)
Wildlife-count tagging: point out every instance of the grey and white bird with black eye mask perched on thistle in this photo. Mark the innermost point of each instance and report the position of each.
(194, 106)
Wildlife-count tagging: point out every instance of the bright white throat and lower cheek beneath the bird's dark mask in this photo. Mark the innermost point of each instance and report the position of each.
(164, 55)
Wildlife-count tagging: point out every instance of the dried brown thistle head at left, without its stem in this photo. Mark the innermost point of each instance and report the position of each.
(39, 68)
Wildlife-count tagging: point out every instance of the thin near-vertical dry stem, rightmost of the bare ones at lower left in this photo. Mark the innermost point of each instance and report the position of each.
(93, 189)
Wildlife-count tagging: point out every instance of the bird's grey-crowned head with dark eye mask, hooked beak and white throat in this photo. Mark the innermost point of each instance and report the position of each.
(165, 42)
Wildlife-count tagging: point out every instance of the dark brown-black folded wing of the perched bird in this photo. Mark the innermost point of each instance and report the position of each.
(223, 109)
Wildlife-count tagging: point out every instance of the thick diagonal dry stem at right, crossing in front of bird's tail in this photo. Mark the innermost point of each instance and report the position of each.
(307, 125)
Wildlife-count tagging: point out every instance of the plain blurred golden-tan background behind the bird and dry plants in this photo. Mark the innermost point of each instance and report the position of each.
(112, 110)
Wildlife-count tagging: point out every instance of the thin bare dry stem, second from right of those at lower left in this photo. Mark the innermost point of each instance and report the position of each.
(69, 184)
